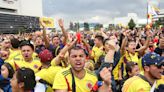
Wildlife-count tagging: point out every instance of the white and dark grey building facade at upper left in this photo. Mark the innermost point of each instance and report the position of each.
(16, 15)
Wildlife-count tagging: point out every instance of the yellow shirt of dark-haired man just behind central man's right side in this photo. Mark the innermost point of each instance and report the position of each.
(96, 53)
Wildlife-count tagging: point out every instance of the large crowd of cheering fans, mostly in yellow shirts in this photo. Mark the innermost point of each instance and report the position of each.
(123, 60)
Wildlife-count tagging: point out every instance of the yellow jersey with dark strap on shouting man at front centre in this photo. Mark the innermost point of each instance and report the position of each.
(82, 85)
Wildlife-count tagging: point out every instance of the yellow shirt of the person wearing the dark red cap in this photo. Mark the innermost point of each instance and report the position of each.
(48, 74)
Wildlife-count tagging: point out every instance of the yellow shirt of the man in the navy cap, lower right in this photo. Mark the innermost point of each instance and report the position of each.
(136, 84)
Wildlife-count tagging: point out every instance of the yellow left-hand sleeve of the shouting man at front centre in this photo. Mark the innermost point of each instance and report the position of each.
(59, 82)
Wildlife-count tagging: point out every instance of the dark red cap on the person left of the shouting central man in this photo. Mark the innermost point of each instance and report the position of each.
(45, 56)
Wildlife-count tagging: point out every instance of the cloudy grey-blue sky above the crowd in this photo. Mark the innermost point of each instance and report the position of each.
(103, 11)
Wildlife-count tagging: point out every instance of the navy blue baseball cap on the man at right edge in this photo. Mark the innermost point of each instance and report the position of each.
(152, 58)
